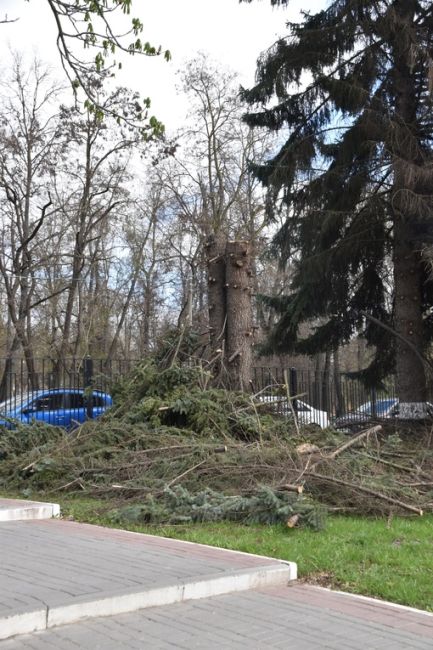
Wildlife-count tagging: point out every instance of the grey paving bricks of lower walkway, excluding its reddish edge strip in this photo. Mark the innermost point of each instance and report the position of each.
(206, 625)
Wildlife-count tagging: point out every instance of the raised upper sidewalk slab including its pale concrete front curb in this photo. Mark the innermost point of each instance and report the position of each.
(54, 572)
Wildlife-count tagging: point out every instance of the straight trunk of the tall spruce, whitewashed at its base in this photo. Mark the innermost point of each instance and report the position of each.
(408, 322)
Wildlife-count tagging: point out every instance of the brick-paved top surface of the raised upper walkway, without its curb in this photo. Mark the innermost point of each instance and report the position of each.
(57, 564)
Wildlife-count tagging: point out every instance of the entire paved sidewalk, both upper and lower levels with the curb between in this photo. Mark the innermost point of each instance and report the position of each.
(70, 586)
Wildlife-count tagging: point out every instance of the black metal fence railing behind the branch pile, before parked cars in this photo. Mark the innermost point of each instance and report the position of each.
(323, 392)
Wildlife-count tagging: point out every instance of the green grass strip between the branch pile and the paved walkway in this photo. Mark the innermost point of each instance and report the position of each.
(390, 559)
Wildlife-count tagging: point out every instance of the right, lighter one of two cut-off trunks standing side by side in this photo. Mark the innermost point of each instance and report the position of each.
(239, 338)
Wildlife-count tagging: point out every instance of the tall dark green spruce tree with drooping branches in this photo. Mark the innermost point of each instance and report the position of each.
(351, 89)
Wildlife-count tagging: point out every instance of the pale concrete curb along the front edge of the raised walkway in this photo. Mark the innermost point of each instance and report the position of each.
(120, 603)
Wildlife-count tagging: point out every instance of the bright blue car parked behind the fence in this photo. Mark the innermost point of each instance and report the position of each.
(63, 407)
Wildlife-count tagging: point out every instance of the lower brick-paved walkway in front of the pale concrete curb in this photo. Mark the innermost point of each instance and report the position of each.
(298, 617)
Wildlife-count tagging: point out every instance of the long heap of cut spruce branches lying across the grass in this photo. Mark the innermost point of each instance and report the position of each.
(170, 431)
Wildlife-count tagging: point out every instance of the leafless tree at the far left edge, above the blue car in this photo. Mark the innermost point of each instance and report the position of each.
(31, 140)
